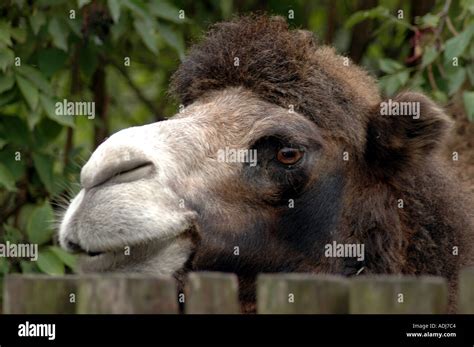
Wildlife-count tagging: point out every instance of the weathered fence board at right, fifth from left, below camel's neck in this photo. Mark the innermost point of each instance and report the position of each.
(397, 294)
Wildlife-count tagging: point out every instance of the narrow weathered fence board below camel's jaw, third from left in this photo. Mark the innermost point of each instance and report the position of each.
(211, 292)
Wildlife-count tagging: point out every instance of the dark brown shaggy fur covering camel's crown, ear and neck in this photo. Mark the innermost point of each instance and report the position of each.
(391, 158)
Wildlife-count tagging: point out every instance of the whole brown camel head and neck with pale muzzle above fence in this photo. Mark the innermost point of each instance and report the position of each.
(274, 165)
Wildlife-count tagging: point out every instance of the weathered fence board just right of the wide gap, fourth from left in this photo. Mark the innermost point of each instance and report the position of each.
(302, 293)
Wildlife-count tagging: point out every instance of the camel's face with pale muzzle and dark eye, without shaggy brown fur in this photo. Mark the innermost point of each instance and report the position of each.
(155, 194)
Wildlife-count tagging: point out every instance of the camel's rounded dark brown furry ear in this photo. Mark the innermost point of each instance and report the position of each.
(404, 131)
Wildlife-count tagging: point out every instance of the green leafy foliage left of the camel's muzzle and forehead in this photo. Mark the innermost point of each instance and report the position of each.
(50, 51)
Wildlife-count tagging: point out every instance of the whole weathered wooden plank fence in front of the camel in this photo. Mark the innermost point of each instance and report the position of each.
(213, 292)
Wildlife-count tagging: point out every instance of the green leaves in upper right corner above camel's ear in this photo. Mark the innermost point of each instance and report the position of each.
(442, 51)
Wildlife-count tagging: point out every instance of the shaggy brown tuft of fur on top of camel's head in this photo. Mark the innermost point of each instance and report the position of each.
(283, 67)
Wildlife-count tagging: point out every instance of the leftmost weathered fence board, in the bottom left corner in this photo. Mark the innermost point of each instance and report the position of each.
(39, 294)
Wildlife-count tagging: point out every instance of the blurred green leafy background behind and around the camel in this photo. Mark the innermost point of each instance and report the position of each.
(121, 54)
